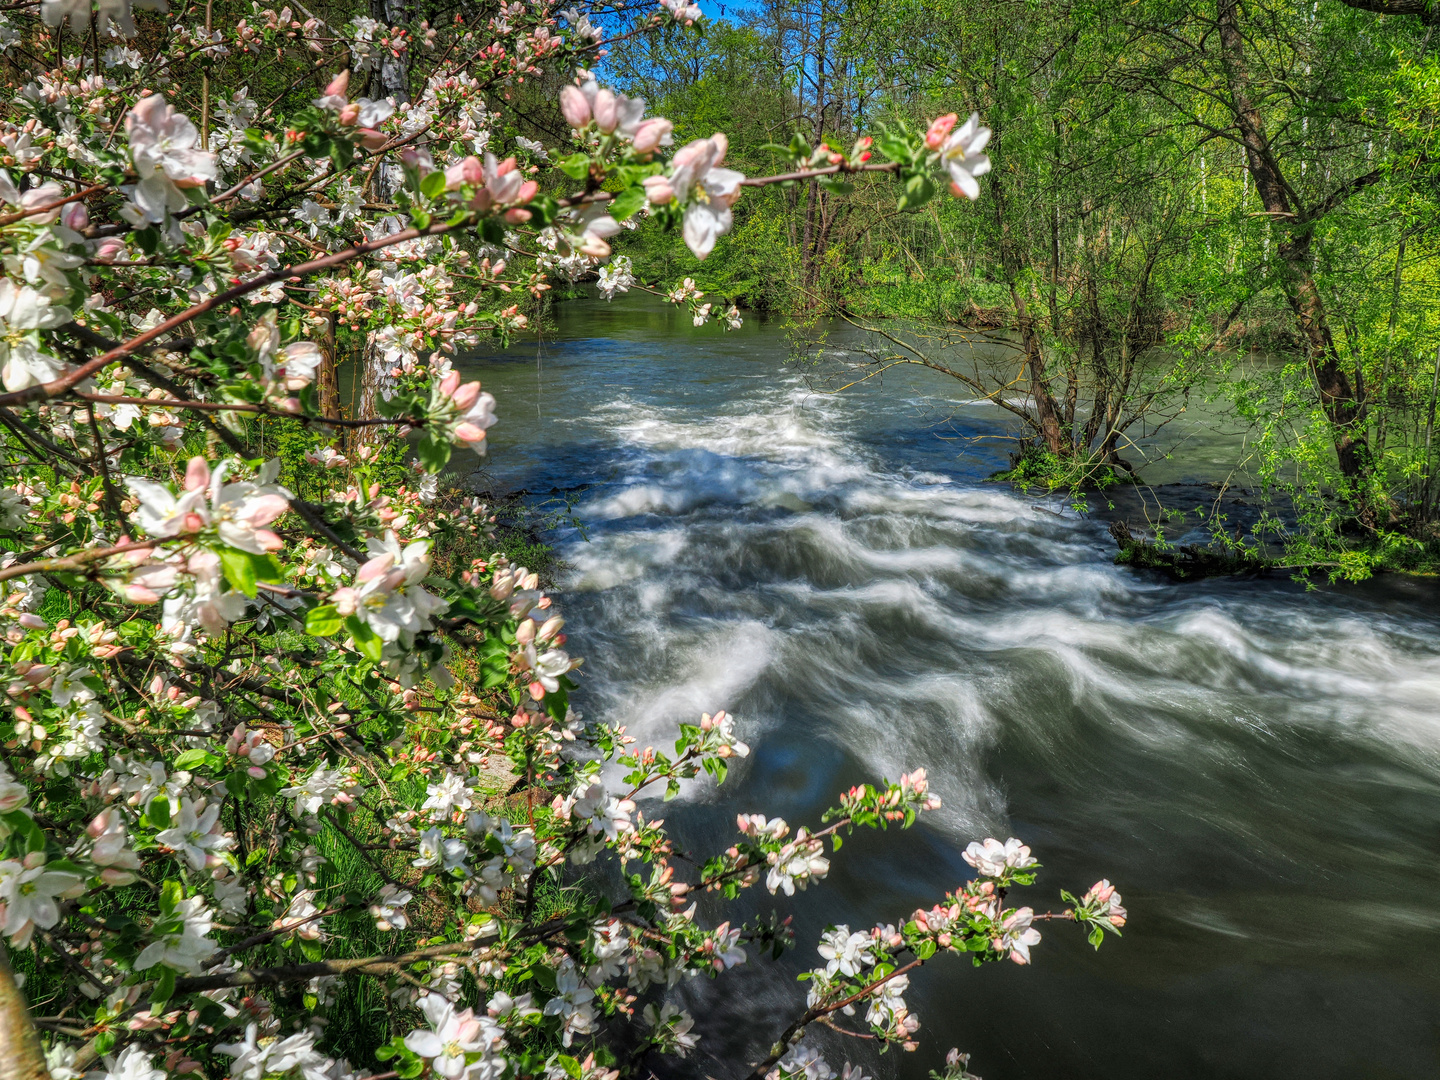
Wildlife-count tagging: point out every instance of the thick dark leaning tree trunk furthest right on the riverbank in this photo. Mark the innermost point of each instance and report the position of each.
(1344, 407)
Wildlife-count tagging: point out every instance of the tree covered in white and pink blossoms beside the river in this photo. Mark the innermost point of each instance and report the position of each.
(253, 731)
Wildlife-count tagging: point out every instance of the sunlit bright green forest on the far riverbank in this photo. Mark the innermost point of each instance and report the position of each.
(1179, 189)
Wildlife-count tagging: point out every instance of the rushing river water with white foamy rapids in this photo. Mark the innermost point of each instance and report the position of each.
(1256, 767)
